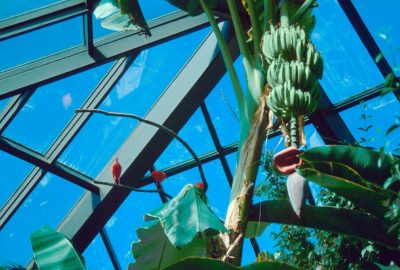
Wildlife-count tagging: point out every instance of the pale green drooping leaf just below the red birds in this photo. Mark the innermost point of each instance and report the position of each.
(186, 215)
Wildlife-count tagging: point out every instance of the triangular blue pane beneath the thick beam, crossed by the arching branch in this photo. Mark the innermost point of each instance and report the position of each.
(196, 134)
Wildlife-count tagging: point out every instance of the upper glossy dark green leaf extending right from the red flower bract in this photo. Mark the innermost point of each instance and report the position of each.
(374, 167)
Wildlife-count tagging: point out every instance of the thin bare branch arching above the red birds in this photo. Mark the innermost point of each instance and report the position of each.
(161, 127)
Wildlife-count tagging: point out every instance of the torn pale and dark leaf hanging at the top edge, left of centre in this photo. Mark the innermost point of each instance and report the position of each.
(121, 15)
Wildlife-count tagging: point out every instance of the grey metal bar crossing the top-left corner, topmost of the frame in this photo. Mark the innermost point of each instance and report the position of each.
(39, 18)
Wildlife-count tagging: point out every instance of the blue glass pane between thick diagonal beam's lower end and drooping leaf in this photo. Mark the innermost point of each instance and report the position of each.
(127, 219)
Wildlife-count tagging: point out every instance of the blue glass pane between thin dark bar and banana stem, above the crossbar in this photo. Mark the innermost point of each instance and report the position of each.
(223, 108)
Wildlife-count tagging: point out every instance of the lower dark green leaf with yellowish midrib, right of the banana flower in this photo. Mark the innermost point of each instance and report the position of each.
(346, 182)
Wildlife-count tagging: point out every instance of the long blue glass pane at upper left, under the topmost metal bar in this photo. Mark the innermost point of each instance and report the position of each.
(41, 42)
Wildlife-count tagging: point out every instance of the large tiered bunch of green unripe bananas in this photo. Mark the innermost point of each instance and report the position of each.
(295, 66)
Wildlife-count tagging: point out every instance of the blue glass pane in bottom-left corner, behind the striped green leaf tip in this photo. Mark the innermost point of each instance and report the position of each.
(47, 205)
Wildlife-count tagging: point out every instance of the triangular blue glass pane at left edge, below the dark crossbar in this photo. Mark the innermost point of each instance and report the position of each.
(13, 172)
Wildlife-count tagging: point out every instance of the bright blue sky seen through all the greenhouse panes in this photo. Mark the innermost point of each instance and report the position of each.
(348, 70)
